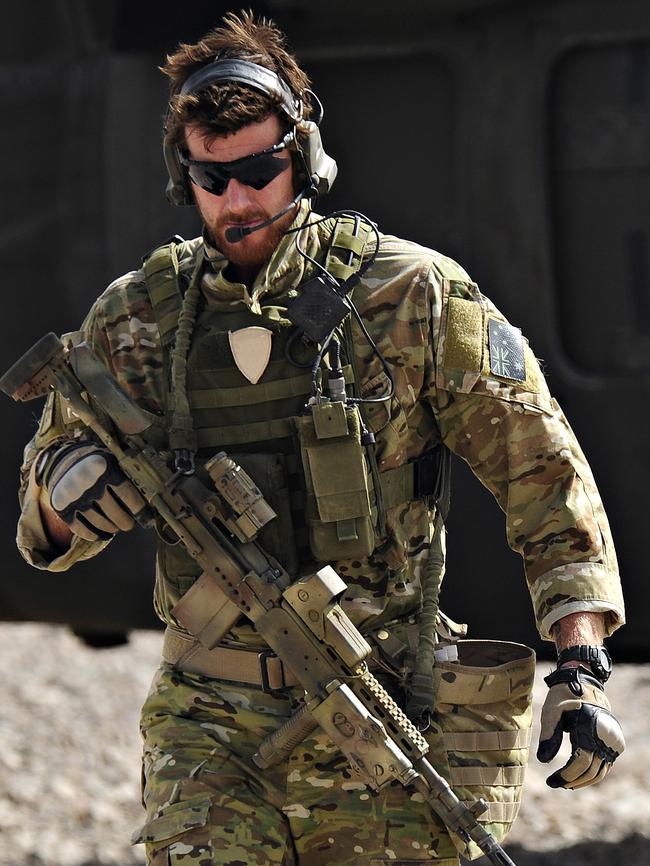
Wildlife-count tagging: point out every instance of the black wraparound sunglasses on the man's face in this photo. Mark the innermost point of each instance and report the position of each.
(256, 170)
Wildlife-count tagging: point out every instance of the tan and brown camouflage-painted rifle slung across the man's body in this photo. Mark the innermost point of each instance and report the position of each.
(300, 620)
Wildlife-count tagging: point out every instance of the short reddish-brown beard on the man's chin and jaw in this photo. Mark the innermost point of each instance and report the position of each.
(253, 250)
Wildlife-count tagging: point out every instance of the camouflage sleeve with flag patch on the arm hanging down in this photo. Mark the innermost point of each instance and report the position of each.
(494, 411)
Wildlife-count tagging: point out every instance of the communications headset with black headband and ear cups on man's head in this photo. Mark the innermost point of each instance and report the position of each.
(319, 167)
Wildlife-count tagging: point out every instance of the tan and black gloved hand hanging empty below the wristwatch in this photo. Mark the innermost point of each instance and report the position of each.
(576, 704)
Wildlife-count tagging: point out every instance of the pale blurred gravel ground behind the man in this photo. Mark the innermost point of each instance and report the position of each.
(69, 762)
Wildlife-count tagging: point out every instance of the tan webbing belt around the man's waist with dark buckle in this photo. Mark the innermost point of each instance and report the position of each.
(259, 668)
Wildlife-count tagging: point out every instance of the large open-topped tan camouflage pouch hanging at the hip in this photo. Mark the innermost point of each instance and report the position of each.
(482, 723)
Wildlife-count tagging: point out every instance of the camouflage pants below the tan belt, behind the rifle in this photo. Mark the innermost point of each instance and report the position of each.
(207, 803)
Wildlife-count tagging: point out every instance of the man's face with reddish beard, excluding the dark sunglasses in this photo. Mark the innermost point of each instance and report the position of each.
(241, 205)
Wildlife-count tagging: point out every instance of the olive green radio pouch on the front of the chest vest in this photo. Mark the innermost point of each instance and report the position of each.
(338, 509)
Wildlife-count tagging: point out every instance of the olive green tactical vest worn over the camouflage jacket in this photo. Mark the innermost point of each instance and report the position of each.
(264, 427)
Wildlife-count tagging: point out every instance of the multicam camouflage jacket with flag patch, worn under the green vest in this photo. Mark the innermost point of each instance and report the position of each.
(462, 375)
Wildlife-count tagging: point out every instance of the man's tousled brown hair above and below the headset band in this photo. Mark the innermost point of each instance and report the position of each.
(226, 107)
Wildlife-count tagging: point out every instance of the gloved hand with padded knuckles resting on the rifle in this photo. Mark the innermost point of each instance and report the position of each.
(88, 490)
